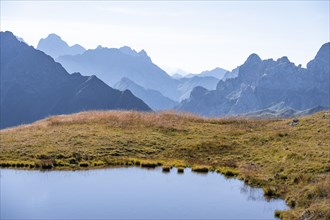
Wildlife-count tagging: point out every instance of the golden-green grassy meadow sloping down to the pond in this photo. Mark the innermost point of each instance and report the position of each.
(291, 162)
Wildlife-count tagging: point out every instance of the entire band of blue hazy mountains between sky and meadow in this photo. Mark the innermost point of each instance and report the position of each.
(34, 86)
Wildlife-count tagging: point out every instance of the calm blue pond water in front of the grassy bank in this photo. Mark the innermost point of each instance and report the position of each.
(130, 193)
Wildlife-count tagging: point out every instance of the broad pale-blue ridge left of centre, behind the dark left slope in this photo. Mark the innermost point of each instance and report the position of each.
(111, 65)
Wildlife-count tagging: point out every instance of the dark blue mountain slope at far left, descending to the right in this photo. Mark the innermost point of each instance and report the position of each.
(34, 86)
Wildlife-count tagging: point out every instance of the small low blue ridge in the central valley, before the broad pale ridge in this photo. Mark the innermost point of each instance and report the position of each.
(152, 98)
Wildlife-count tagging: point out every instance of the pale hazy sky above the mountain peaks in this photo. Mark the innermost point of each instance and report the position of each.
(193, 36)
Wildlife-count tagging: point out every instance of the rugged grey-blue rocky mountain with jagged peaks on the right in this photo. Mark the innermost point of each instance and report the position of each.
(263, 84)
